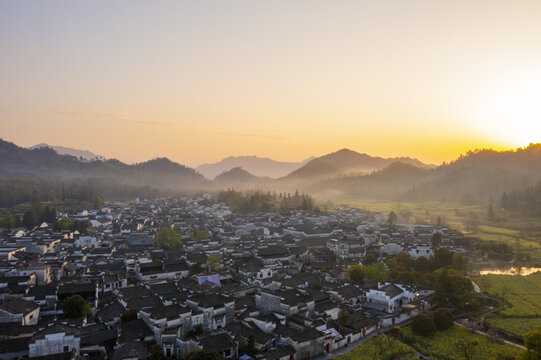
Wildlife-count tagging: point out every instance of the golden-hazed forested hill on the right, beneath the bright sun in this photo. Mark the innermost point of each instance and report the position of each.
(473, 178)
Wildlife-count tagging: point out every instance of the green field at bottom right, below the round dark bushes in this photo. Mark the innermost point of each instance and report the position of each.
(443, 345)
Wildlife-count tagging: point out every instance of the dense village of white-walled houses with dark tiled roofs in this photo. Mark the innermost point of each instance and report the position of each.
(276, 292)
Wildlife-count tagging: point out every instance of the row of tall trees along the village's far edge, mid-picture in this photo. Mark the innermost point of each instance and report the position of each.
(265, 202)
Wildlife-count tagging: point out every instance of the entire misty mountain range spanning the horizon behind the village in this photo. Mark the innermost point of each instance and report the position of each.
(473, 178)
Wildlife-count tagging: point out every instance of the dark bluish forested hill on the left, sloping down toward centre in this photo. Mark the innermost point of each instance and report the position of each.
(45, 163)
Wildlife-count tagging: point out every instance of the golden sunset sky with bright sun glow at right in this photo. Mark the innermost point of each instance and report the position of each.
(196, 81)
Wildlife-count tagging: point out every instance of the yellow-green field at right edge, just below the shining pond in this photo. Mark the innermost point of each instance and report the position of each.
(523, 294)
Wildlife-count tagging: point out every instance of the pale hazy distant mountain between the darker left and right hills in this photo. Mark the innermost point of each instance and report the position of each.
(258, 166)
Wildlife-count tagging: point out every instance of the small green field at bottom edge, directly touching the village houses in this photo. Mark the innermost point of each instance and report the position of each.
(370, 350)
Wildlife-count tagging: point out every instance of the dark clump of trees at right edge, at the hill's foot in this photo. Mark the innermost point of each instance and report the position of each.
(526, 200)
